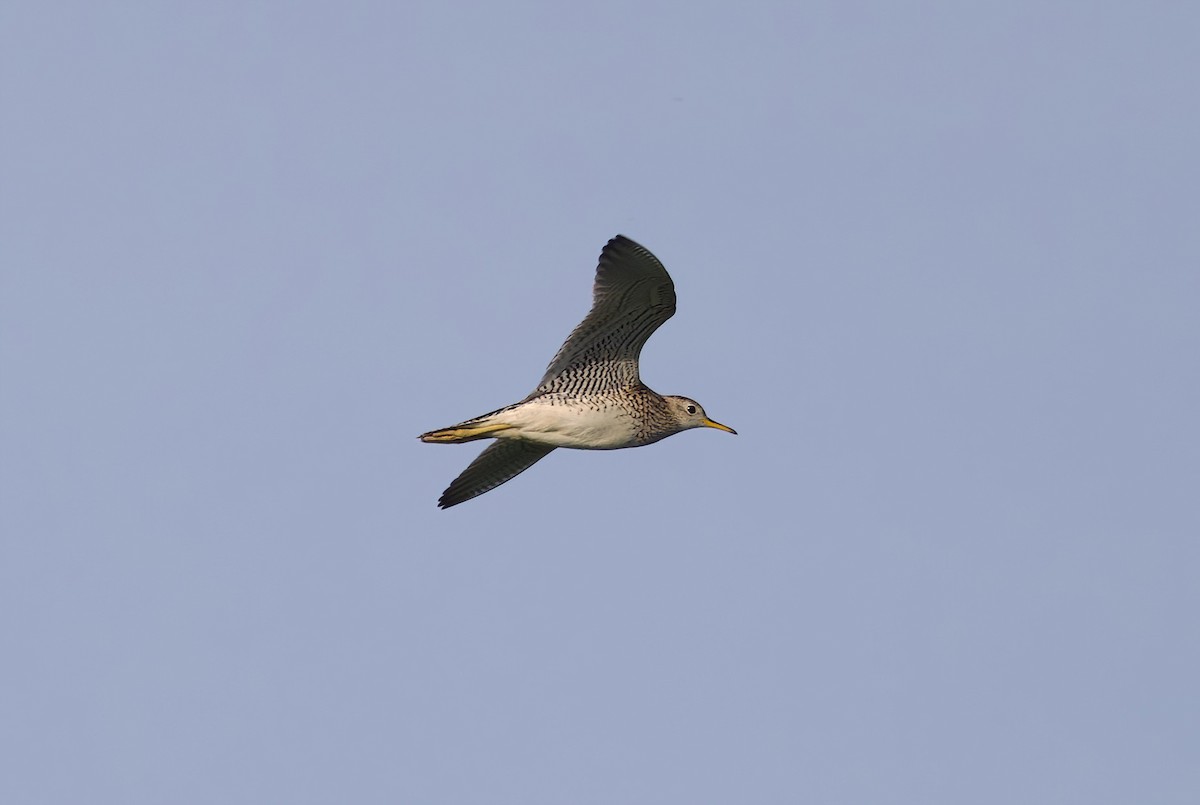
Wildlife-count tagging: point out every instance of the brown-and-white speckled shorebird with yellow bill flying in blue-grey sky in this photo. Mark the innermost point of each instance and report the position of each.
(592, 397)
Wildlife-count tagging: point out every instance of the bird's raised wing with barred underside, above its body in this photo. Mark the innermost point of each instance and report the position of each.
(632, 298)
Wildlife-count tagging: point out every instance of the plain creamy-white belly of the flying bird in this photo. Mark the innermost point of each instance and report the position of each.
(586, 428)
